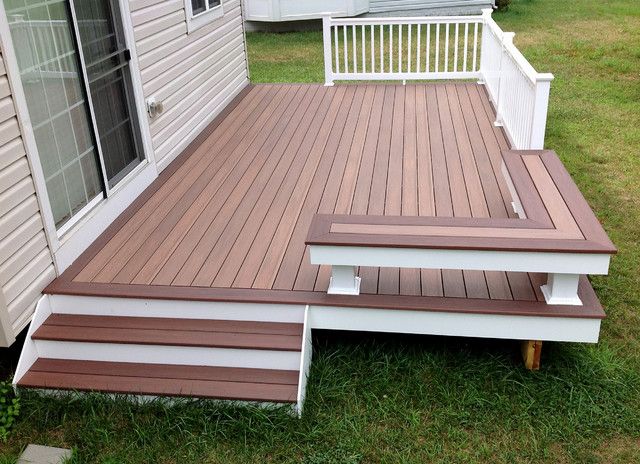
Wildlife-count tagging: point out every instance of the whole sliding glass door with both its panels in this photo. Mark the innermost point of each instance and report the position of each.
(79, 98)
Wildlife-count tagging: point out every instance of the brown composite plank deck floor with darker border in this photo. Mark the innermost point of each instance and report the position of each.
(228, 219)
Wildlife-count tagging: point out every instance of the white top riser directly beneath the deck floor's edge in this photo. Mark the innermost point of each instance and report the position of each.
(105, 306)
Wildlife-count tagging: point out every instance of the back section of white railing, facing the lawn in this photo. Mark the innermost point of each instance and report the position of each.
(443, 47)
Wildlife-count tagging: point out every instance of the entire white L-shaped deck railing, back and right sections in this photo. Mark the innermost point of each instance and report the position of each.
(443, 47)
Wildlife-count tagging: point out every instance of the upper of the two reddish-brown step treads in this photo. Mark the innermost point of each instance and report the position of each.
(79, 329)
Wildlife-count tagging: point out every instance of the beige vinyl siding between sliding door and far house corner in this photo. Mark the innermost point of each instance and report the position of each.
(195, 75)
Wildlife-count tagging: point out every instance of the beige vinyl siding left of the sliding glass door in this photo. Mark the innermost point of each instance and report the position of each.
(26, 264)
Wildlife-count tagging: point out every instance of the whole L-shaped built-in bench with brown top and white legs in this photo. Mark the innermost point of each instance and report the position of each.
(555, 233)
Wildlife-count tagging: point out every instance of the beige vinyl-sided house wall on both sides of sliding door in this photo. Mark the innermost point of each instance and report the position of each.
(193, 74)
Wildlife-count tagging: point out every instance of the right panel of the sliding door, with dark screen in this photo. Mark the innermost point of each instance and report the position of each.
(107, 63)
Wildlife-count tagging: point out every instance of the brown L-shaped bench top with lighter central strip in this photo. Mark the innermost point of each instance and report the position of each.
(558, 218)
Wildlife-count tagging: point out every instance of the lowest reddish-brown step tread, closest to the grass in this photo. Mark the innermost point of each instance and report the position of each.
(163, 380)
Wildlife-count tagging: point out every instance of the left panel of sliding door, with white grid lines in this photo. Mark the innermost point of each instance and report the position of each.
(49, 67)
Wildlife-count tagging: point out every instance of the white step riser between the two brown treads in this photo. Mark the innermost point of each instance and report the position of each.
(158, 354)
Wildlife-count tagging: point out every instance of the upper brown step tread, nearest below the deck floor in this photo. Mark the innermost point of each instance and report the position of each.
(275, 336)
